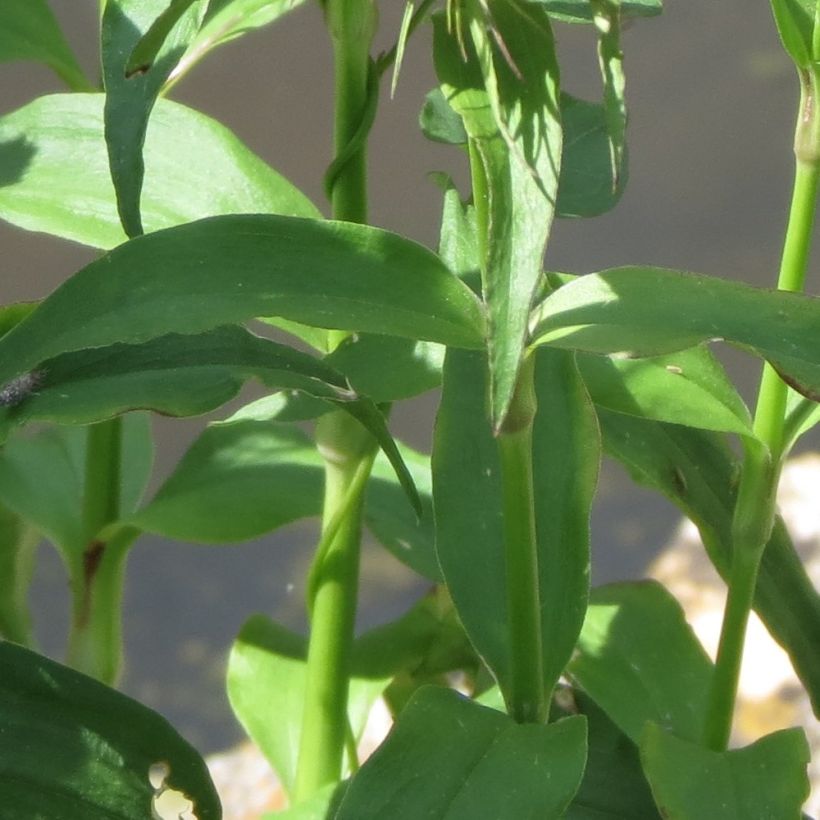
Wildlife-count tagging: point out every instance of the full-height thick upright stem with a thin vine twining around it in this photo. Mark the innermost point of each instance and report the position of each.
(348, 450)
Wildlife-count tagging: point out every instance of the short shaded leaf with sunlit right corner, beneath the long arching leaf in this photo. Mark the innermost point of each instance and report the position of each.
(388, 369)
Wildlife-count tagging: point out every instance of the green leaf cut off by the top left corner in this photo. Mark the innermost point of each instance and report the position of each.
(30, 31)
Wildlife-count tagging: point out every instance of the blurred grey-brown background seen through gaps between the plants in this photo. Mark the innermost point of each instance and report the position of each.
(712, 101)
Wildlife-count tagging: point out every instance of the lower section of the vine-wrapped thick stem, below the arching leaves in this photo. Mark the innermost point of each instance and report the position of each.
(333, 591)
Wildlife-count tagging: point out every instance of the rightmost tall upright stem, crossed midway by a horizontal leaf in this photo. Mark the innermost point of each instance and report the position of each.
(755, 506)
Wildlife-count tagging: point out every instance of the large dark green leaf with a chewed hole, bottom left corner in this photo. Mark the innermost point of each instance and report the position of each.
(73, 748)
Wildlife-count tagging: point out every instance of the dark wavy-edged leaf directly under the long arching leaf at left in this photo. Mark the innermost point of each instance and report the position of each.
(174, 375)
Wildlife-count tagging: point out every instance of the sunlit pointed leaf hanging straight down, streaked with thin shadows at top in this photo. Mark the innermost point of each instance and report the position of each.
(506, 93)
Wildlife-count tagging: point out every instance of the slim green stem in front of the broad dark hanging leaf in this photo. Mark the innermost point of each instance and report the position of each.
(526, 699)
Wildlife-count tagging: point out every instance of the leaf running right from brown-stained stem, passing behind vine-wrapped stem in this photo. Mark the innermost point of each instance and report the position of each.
(242, 479)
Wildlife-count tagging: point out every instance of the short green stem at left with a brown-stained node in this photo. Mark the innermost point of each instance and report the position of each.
(94, 643)
